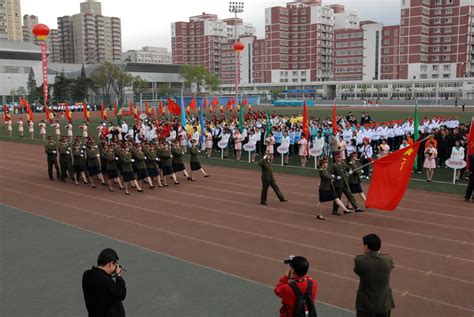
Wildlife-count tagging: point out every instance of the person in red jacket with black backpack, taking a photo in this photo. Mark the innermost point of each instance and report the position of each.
(296, 281)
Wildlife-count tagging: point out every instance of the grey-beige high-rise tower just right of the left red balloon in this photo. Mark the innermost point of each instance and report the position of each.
(89, 37)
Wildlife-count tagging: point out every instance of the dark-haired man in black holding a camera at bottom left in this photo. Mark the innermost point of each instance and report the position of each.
(103, 286)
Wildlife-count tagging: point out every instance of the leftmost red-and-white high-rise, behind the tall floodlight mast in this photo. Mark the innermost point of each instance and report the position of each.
(205, 40)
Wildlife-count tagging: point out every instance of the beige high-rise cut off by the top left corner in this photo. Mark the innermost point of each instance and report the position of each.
(10, 20)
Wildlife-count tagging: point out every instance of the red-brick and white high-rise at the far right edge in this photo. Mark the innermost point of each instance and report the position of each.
(436, 39)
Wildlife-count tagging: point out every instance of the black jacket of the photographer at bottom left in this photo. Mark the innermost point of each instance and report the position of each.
(103, 295)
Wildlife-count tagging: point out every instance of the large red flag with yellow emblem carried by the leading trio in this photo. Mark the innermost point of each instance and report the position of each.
(390, 178)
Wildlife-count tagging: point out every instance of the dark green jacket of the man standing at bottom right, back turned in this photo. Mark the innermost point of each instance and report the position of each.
(374, 294)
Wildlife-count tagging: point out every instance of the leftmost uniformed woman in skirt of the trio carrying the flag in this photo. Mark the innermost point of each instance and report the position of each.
(326, 189)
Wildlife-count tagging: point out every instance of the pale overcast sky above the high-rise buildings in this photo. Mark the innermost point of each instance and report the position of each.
(147, 22)
